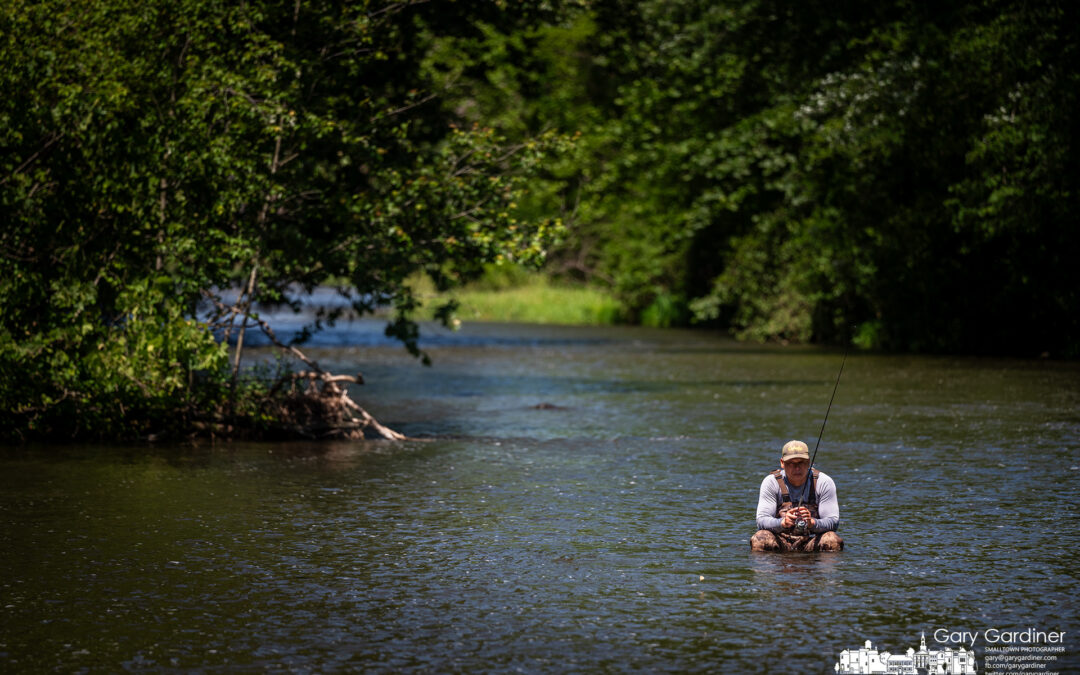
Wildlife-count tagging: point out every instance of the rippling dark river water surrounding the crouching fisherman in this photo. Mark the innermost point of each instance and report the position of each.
(575, 499)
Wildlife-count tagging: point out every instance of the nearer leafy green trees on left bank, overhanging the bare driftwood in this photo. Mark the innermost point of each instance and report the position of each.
(159, 154)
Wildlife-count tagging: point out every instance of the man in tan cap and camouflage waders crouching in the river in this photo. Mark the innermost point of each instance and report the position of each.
(788, 497)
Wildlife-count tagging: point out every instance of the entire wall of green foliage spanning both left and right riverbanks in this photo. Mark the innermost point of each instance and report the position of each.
(900, 174)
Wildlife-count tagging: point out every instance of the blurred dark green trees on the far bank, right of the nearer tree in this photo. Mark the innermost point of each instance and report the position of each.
(902, 174)
